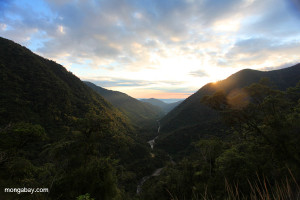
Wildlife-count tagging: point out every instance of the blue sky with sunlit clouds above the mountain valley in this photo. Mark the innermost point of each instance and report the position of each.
(156, 48)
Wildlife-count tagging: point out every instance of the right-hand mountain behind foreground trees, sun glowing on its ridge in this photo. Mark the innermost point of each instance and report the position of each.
(191, 118)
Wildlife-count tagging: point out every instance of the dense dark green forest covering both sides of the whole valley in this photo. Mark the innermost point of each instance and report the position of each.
(235, 139)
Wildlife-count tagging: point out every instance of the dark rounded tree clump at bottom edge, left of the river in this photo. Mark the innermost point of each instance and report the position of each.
(95, 175)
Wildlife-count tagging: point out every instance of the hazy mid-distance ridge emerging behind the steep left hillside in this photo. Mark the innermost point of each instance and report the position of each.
(139, 113)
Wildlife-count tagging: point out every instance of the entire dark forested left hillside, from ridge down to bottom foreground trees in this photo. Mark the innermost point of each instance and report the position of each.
(57, 133)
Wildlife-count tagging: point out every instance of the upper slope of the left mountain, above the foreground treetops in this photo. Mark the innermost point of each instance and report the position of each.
(37, 90)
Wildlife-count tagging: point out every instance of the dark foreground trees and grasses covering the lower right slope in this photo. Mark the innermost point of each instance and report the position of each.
(259, 158)
